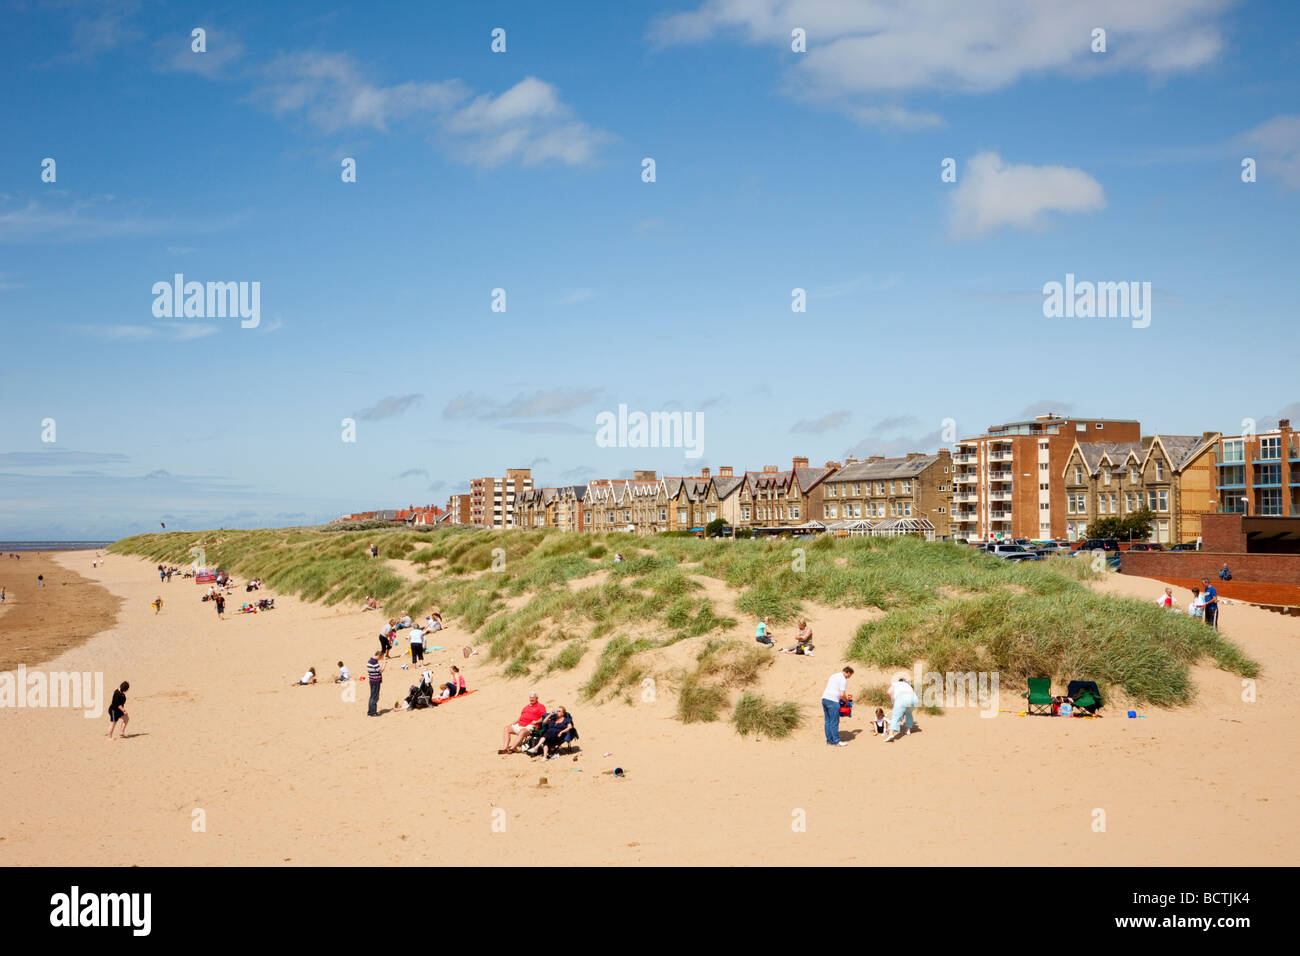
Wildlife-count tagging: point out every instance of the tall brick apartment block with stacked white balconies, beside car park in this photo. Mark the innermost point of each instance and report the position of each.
(1011, 482)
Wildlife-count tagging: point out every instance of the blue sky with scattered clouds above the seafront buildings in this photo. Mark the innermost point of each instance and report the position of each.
(523, 171)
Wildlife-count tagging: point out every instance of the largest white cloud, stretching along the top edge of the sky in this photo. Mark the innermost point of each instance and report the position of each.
(868, 54)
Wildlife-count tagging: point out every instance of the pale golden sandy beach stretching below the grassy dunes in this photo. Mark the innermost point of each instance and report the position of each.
(276, 775)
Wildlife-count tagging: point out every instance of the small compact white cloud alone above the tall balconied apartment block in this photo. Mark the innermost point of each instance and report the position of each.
(993, 194)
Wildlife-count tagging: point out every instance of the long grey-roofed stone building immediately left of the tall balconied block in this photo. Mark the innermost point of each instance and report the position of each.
(898, 495)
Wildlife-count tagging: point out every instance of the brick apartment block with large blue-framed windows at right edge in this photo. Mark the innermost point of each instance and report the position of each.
(1259, 475)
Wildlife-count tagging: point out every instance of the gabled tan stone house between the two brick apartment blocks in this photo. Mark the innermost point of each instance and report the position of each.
(1173, 475)
